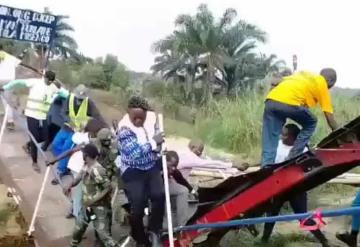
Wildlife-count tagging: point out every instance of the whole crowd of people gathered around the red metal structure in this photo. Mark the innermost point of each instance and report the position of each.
(128, 155)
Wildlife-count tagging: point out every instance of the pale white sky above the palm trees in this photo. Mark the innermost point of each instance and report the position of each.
(322, 33)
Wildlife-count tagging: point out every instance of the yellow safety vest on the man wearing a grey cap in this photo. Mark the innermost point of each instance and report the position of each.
(80, 119)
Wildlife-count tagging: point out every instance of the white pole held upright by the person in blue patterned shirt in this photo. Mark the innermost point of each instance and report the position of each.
(166, 184)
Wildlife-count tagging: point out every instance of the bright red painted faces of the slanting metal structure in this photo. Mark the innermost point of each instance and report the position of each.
(282, 180)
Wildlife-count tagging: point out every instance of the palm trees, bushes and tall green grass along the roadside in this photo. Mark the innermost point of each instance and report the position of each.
(209, 78)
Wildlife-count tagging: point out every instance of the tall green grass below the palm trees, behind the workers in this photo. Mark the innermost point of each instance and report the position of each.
(233, 125)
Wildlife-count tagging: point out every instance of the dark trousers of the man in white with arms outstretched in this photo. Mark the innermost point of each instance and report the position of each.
(38, 129)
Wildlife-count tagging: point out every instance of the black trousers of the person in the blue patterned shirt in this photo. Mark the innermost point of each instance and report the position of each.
(142, 186)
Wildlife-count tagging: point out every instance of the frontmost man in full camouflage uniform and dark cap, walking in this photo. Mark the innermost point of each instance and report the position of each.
(96, 190)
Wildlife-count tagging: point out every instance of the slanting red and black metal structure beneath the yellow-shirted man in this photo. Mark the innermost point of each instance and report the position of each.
(250, 195)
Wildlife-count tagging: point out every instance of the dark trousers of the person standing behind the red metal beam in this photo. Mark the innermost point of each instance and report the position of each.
(299, 205)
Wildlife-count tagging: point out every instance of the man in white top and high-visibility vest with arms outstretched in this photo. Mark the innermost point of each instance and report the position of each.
(42, 92)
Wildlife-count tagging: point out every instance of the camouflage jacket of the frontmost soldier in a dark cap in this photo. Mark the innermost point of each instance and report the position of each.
(95, 182)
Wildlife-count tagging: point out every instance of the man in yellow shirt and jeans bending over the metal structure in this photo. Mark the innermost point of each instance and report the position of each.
(292, 98)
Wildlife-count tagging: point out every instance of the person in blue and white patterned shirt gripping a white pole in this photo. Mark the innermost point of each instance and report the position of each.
(141, 173)
